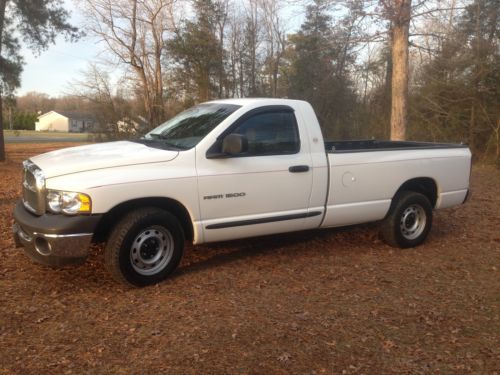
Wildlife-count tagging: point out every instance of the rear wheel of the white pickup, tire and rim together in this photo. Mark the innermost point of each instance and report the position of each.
(409, 220)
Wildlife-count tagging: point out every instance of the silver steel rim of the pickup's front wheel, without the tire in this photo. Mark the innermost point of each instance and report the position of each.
(151, 250)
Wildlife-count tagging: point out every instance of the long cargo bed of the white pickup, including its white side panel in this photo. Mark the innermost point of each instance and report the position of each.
(366, 174)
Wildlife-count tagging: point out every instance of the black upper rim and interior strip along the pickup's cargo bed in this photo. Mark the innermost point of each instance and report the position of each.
(364, 145)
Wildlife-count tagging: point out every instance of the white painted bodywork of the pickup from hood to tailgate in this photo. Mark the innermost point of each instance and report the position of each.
(344, 188)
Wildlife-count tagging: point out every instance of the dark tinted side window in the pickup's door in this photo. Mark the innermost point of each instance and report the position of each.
(270, 133)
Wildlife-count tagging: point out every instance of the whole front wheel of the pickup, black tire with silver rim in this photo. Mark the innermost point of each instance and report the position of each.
(144, 247)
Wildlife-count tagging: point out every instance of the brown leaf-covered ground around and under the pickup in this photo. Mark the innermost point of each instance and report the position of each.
(331, 301)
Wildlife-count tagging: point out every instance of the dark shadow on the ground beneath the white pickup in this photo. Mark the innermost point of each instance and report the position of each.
(342, 242)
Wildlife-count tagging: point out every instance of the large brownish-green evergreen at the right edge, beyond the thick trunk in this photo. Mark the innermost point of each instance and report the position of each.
(458, 95)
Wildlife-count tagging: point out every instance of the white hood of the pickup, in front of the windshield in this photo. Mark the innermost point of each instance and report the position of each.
(99, 156)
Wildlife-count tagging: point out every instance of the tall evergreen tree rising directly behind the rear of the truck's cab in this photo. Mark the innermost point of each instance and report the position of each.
(317, 71)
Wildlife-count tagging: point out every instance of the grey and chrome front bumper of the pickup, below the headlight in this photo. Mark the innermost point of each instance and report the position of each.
(53, 240)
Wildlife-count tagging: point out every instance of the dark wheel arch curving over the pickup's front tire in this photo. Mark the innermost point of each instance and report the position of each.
(173, 206)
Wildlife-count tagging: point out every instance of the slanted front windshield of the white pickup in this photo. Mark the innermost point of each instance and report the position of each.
(185, 130)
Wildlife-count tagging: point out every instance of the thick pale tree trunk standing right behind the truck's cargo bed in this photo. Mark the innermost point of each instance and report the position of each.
(400, 70)
